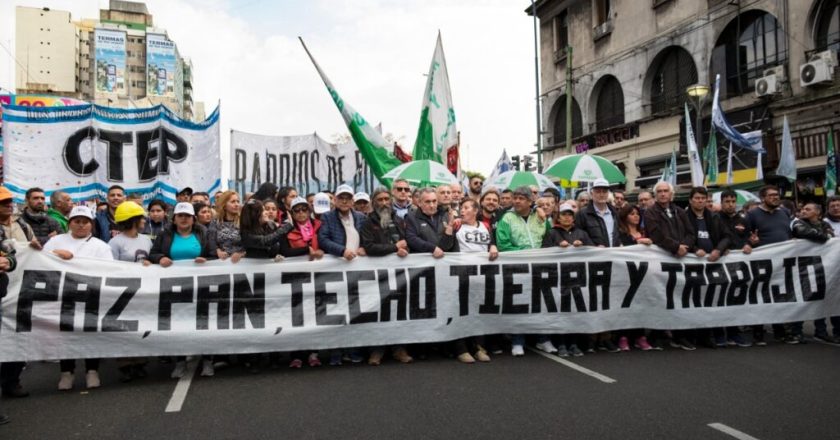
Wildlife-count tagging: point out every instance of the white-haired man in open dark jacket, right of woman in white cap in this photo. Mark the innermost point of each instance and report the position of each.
(599, 219)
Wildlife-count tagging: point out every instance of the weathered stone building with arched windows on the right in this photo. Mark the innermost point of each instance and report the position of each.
(633, 64)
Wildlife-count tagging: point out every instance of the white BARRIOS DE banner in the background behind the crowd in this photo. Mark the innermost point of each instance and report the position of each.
(306, 162)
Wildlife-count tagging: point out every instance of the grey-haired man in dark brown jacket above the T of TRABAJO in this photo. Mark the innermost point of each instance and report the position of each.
(670, 228)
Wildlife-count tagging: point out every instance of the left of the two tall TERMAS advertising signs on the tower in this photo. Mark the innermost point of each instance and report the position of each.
(110, 61)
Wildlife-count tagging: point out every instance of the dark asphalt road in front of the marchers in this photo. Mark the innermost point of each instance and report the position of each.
(773, 392)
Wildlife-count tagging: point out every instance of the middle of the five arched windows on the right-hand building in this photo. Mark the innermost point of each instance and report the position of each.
(674, 72)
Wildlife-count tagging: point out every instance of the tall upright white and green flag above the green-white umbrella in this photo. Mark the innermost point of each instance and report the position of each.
(437, 132)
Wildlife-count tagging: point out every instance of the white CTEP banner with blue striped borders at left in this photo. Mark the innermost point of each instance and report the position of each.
(85, 149)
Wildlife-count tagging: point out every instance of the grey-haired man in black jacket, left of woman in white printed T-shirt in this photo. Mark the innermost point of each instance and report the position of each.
(429, 229)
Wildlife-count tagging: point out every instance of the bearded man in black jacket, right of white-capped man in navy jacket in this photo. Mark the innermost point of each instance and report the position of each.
(383, 232)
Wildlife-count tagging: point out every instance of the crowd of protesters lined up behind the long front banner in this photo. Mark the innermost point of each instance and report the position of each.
(277, 223)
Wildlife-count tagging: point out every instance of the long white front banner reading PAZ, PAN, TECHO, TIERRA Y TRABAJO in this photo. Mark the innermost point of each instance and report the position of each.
(84, 308)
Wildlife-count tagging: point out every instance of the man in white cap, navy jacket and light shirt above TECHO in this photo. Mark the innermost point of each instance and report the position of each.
(339, 233)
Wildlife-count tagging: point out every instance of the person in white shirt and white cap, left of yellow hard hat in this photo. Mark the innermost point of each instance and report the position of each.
(79, 242)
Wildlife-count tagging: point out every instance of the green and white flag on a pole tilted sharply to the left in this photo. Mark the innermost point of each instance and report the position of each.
(374, 148)
